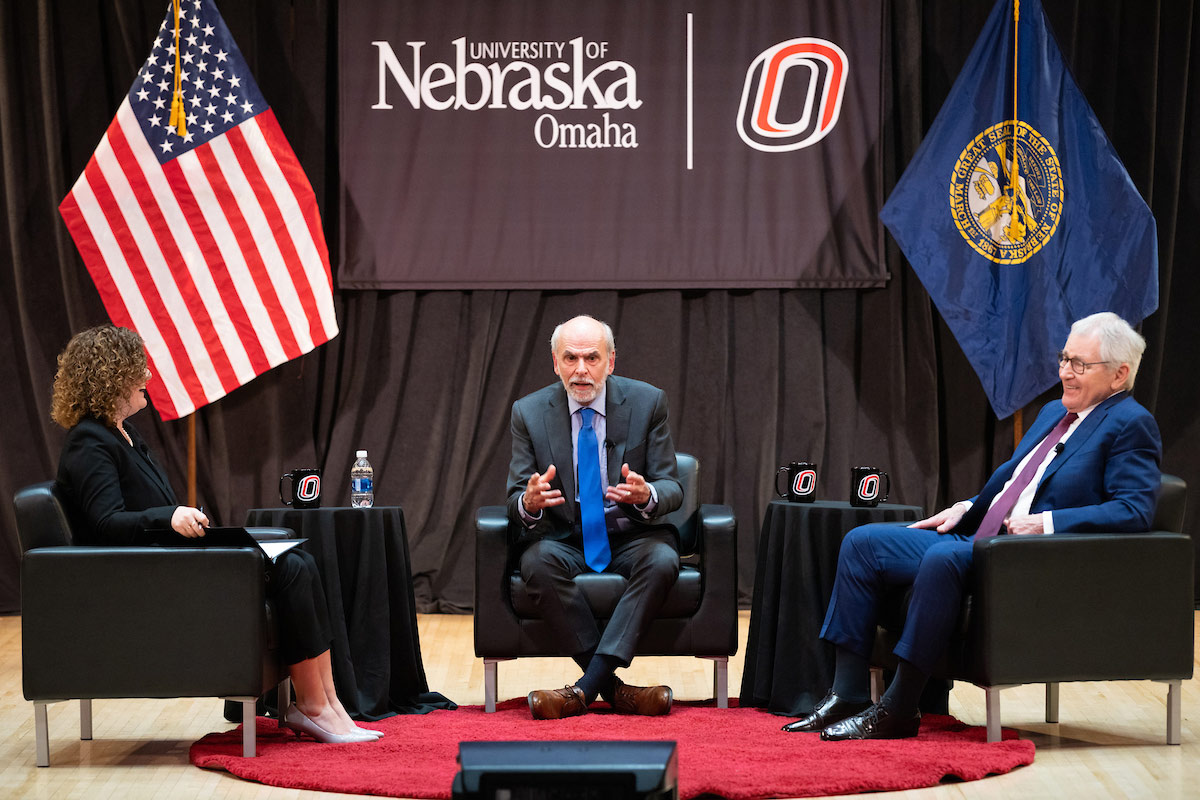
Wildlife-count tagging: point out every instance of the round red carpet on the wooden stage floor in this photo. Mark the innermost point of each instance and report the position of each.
(739, 754)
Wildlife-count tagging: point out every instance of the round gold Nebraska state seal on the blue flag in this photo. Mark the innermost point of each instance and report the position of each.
(1007, 193)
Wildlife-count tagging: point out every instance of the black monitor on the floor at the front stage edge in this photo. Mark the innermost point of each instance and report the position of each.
(567, 771)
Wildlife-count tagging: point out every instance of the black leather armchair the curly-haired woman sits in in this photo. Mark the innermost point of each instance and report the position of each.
(139, 622)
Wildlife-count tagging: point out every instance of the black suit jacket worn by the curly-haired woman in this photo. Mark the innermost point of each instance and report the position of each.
(115, 492)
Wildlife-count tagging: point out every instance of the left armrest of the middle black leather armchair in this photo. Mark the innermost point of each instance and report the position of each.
(496, 624)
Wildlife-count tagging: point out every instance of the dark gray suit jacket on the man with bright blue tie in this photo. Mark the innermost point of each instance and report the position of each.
(640, 436)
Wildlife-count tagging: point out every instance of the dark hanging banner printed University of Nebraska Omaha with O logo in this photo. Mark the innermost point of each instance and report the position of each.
(542, 145)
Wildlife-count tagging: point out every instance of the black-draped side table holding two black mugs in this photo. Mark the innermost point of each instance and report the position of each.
(788, 666)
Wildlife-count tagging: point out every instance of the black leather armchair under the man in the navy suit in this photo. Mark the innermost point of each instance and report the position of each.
(1073, 607)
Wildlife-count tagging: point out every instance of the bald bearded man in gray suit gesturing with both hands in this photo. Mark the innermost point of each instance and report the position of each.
(593, 472)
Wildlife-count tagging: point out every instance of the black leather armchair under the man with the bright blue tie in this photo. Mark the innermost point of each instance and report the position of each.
(699, 618)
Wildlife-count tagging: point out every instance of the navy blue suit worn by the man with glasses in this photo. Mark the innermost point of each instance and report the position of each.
(1106, 480)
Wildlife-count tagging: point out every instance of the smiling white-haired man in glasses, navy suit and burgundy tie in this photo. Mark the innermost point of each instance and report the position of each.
(1090, 464)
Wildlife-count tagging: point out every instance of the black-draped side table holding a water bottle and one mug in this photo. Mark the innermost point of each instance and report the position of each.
(363, 557)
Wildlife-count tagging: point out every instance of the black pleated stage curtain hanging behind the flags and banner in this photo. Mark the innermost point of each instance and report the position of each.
(424, 380)
